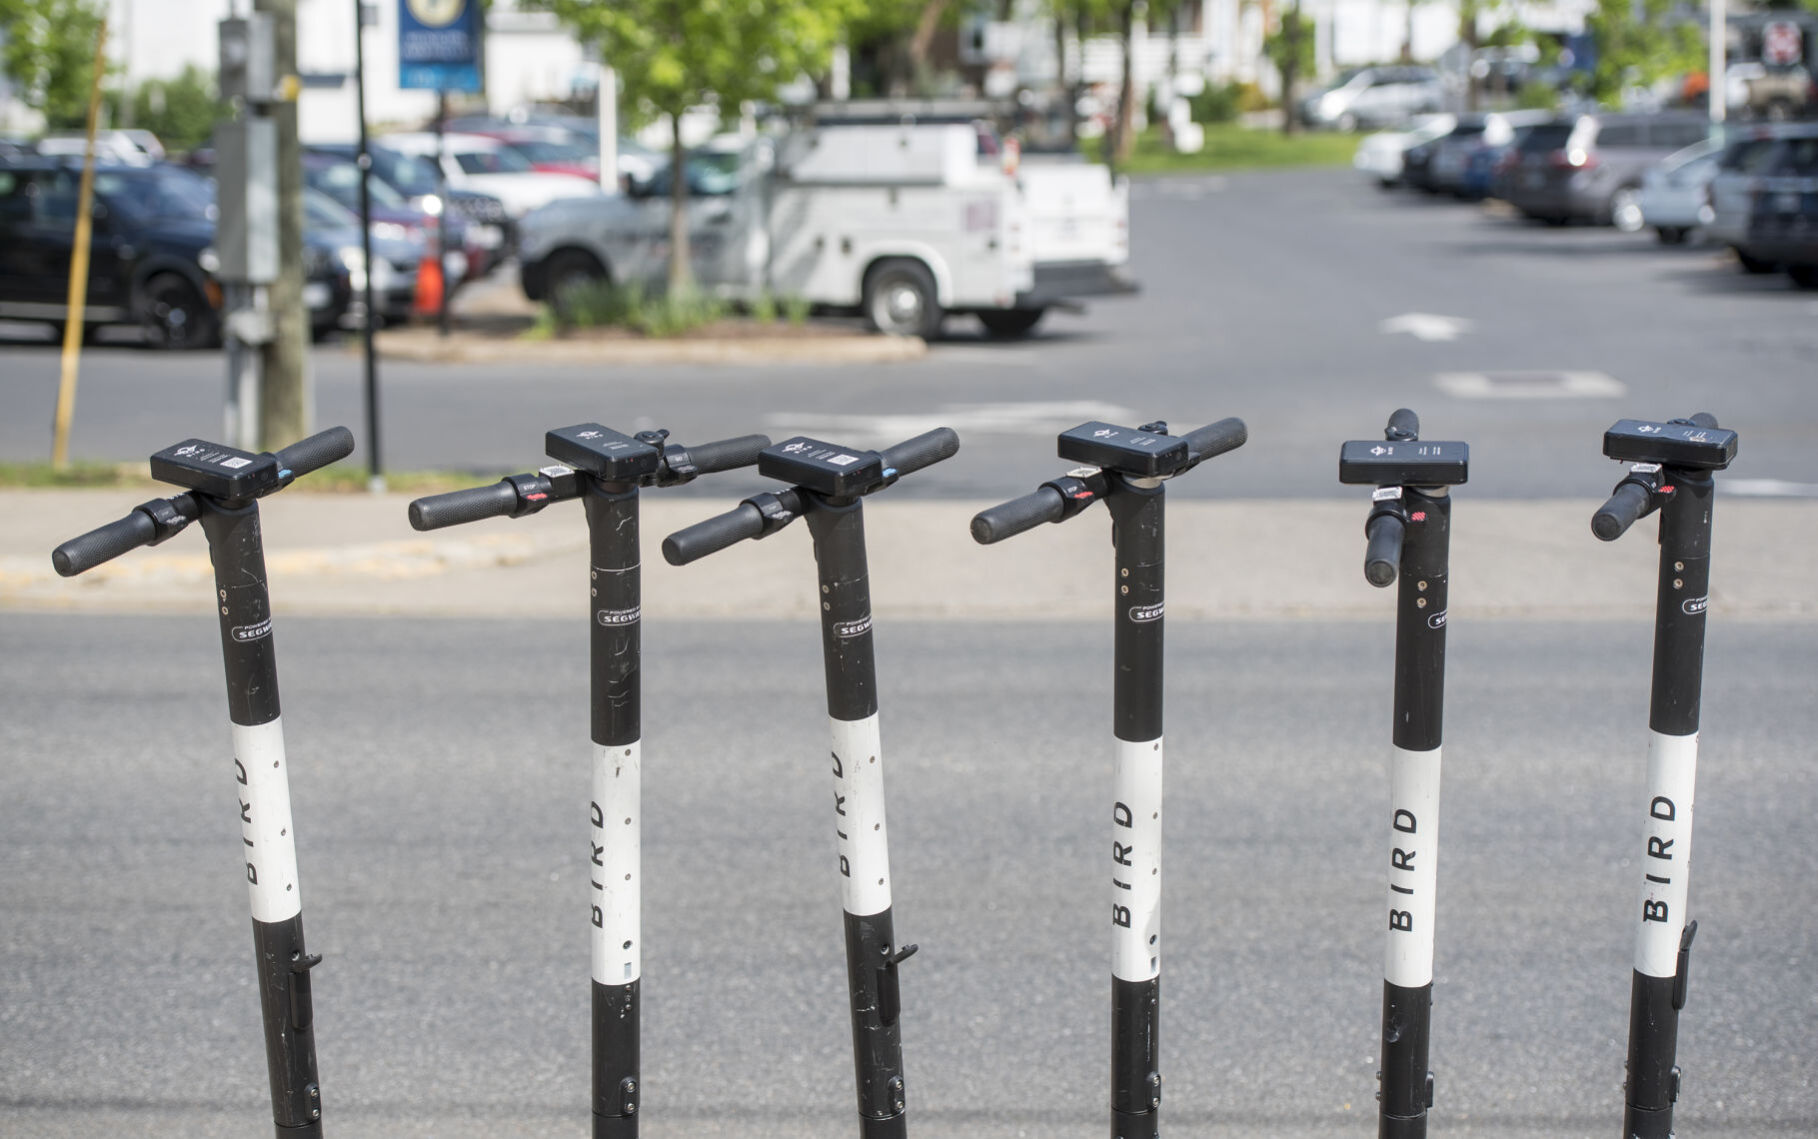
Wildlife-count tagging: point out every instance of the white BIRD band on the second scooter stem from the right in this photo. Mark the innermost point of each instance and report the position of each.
(1413, 867)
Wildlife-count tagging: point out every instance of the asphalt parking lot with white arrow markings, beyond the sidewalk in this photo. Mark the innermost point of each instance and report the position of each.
(1264, 297)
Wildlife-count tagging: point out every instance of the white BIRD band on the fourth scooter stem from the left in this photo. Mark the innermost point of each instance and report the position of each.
(1137, 864)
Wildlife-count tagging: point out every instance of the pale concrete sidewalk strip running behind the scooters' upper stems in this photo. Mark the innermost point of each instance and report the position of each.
(357, 555)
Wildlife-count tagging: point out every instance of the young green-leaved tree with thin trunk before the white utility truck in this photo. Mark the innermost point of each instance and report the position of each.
(686, 54)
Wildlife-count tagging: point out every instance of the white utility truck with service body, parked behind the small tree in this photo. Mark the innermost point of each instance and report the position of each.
(904, 224)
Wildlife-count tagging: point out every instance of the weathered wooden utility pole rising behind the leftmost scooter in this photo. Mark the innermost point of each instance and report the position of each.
(286, 404)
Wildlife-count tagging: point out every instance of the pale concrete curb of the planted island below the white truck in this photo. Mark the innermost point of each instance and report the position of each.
(466, 348)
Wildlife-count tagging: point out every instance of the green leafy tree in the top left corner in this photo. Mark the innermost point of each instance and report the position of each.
(50, 54)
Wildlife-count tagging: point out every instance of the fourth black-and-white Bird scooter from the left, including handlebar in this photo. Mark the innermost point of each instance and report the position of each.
(1128, 470)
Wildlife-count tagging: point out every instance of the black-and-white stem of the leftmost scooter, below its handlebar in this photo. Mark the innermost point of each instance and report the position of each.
(266, 831)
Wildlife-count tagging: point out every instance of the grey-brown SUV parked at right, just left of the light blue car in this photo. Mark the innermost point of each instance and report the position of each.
(1590, 166)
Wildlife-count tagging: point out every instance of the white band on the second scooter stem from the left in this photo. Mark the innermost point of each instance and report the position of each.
(615, 877)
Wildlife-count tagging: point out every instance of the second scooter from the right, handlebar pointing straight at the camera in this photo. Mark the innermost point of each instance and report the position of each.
(1410, 535)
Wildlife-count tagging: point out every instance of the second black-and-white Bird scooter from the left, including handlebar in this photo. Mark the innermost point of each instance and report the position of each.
(606, 470)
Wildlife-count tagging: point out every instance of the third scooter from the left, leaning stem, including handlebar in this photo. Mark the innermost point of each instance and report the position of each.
(830, 488)
